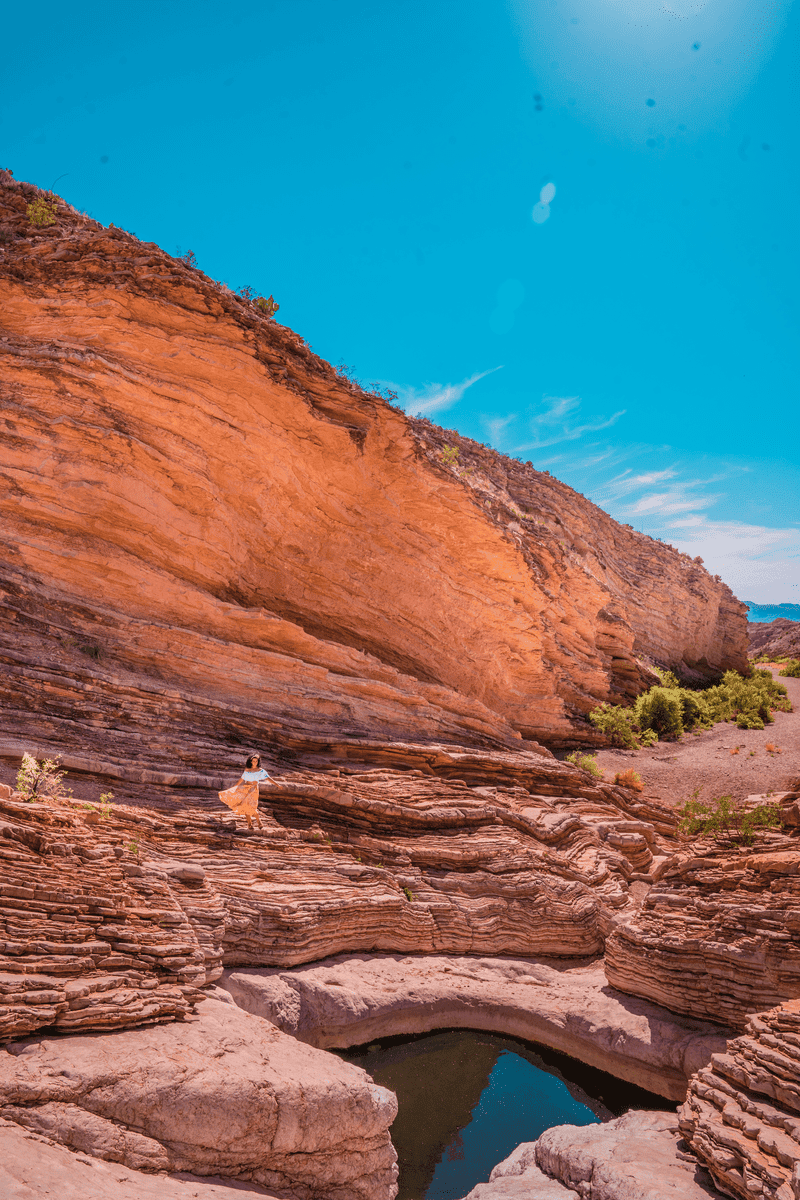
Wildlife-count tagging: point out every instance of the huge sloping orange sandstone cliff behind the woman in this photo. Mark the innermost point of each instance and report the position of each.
(213, 541)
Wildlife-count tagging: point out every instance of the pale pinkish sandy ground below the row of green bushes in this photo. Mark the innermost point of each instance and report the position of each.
(672, 771)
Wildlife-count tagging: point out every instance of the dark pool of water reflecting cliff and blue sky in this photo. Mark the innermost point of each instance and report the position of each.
(467, 1100)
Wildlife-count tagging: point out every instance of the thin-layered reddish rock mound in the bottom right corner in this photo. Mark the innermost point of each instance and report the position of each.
(742, 1117)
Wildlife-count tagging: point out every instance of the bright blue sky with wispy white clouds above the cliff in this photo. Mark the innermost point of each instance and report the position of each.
(563, 227)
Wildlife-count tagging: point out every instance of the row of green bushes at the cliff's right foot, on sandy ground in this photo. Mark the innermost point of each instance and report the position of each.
(669, 711)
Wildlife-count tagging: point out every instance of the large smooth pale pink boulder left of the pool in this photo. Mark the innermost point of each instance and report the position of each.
(224, 1094)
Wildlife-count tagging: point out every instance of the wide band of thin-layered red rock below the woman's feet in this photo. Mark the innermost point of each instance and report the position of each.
(118, 921)
